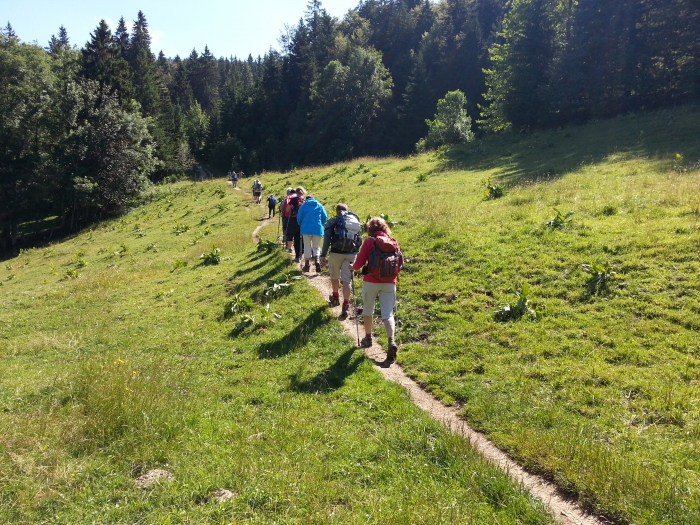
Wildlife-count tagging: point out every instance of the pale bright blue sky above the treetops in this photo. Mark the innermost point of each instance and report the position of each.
(229, 28)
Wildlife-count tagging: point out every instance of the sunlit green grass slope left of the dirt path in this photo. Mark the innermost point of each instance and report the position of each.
(120, 353)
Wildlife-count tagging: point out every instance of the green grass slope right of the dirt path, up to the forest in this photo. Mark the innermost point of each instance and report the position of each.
(603, 393)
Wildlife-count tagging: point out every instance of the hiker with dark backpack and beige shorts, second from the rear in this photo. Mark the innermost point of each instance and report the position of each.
(342, 236)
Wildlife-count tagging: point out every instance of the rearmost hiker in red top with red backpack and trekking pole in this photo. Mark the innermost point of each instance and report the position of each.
(380, 270)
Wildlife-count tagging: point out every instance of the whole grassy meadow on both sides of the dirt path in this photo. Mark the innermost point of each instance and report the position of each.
(121, 352)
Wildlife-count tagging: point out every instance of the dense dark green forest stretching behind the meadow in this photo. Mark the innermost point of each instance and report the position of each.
(84, 130)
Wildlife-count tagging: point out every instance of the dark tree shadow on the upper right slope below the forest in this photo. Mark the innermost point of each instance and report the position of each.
(550, 154)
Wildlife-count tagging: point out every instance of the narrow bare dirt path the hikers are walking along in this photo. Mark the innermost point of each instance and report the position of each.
(564, 509)
